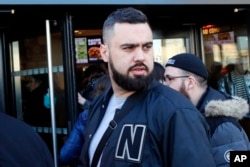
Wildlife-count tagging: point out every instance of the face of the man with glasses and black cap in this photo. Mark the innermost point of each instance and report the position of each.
(175, 79)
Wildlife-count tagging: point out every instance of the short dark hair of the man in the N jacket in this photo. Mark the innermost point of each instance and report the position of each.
(124, 15)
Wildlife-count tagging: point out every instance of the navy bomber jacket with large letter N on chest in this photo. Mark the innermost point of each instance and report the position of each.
(162, 129)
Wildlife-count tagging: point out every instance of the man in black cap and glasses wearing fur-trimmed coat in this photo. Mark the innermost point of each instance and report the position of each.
(187, 74)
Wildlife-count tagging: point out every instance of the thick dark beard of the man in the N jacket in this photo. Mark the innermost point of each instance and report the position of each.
(138, 83)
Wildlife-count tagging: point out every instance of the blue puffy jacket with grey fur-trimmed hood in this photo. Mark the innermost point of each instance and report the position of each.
(222, 113)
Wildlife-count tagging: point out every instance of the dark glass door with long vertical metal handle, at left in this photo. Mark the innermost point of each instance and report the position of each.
(37, 73)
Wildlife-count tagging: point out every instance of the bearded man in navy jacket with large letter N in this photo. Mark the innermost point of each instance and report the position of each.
(139, 121)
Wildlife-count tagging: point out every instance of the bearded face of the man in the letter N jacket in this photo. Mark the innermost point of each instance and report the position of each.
(130, 55)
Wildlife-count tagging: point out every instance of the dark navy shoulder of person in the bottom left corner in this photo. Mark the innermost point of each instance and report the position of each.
(21, 146)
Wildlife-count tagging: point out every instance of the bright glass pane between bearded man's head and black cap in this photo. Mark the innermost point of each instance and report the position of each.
(174, 40)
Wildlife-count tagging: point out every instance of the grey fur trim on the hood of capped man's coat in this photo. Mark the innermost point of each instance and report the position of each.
(235, 107)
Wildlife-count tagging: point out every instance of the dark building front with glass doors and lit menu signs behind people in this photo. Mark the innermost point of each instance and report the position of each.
(53, 39)
